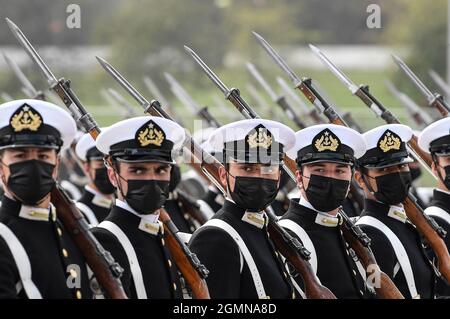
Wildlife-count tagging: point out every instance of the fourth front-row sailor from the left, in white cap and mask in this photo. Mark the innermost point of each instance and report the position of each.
(325, 155)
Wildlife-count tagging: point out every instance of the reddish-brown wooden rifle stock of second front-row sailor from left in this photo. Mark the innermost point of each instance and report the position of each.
(179, 253)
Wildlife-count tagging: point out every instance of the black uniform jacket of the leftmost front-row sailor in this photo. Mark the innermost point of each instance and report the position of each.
(52, 254)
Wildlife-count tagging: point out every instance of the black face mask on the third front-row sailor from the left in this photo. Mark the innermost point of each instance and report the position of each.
(254, 193)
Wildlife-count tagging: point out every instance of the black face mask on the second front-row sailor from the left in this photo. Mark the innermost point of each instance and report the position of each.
(146, 196)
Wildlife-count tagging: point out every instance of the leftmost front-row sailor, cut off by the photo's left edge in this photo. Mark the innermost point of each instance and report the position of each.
(38, 258)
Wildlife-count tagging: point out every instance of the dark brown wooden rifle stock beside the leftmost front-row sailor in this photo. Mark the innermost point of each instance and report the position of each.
(106, 271)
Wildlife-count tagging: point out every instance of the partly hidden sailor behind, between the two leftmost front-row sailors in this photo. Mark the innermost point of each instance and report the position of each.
(97, 197)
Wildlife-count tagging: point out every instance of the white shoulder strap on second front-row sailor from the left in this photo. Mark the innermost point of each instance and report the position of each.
(135, 268)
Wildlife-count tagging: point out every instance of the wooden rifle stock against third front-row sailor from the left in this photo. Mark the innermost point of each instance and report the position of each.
(313, 288)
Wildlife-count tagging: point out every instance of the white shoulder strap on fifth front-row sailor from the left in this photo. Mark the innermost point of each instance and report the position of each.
(399, 250)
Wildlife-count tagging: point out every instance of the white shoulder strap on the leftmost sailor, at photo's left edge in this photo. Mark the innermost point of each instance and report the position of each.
(22, 262)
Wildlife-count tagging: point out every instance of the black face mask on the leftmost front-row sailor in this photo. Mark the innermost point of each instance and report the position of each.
(30, 181)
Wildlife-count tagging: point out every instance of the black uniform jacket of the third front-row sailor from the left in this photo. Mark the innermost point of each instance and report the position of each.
(221, 255)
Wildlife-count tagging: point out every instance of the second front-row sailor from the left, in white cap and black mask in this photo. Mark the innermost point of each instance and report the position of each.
(139, 151)
